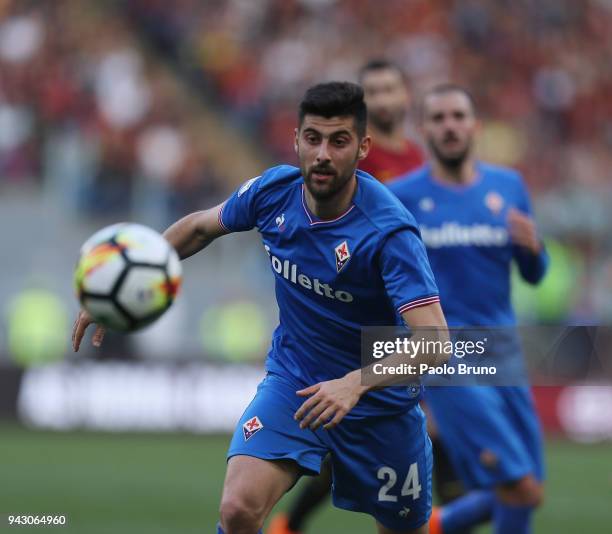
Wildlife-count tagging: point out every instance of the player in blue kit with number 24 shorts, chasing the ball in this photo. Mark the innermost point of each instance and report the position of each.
(344, 253)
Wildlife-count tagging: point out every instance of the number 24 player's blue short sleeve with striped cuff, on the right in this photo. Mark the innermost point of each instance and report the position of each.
(405, 270)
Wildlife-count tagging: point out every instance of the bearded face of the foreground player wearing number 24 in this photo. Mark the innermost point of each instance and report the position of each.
(328, 150)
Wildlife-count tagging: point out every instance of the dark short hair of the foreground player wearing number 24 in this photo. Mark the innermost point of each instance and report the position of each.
(336, 99)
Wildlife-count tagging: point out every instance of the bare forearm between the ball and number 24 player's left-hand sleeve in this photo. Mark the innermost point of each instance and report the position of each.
(195, 231)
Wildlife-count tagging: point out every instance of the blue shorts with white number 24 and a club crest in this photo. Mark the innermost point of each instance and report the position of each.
(380, 465)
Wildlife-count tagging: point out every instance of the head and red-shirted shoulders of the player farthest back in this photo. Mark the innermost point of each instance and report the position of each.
(388, 99)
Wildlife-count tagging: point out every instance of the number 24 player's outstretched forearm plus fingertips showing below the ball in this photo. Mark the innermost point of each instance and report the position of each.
(188, 236)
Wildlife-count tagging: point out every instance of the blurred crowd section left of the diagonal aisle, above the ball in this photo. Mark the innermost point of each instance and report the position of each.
(88, 115)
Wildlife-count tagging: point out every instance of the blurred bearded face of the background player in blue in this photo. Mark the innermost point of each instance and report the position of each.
(449, 126)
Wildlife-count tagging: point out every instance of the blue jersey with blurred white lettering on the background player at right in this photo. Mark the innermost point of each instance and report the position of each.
(466, 234)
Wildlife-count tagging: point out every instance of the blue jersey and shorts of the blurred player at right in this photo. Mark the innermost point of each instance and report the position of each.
(466, 234)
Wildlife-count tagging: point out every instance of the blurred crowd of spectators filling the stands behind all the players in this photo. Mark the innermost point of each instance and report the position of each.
(94, 107)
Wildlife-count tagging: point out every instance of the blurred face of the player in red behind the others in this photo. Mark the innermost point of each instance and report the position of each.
(387, 98)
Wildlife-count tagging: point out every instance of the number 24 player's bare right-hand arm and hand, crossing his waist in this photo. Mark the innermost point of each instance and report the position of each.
(328, 402)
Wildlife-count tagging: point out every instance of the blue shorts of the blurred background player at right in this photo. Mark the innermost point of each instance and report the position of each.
(491, 433)
